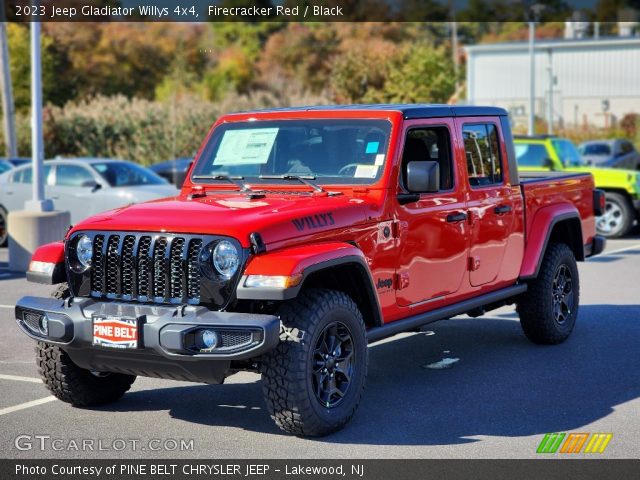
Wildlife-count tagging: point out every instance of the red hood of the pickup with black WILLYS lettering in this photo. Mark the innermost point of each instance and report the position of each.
(276, 218)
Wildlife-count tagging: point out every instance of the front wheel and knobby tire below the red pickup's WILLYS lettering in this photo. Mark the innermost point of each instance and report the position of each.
(314, 379)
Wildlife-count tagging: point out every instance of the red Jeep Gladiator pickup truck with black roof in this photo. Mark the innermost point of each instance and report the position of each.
(300, 236)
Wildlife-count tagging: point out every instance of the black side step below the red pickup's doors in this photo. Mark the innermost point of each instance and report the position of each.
(411, 323)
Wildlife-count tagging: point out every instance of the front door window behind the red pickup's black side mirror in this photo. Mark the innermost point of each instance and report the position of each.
(429, 144)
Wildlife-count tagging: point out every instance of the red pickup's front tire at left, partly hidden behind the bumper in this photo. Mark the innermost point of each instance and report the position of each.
(72, 384)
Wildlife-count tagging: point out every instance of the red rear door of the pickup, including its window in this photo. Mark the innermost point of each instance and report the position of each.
(492, 203)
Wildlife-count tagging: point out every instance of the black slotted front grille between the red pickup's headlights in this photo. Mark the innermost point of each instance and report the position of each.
(162, 269)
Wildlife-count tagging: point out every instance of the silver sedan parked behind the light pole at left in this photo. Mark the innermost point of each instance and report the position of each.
(83, 186)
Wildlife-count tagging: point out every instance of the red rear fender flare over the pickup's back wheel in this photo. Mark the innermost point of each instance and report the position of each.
(539, 234)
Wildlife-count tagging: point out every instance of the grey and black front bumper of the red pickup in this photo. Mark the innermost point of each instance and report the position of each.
(165, 345)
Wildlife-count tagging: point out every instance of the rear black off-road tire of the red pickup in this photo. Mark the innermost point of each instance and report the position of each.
(536, 306)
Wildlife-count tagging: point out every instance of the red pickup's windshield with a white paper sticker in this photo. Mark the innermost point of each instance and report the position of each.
(329, 151)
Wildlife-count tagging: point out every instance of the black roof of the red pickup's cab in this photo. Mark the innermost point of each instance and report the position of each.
(409, 111)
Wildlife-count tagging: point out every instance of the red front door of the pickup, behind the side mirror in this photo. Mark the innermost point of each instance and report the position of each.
(433, 232)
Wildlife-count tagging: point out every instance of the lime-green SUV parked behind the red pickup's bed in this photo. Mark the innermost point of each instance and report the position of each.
(622, 187)
